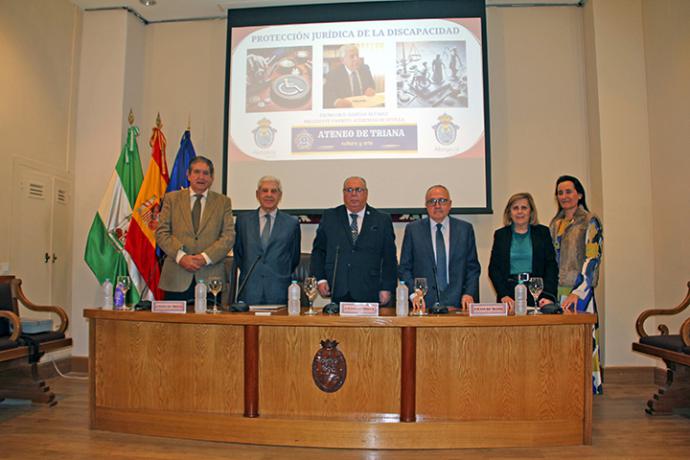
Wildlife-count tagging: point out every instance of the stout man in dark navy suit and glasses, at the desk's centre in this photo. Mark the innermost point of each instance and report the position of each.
(364, 239)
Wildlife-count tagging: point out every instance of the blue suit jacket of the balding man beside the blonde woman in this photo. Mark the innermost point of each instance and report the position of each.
(417, 260)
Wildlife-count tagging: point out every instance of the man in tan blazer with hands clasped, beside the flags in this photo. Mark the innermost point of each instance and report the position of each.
(195, 231)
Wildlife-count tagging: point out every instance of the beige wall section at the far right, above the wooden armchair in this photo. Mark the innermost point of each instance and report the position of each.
(667, 57)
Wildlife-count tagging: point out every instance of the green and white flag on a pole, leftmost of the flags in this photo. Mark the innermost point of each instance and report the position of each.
(105, 252)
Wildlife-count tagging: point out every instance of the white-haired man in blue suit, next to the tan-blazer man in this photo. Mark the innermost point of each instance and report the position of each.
(275, 237)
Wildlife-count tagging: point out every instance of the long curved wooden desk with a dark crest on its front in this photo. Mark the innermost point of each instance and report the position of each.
(412, 382)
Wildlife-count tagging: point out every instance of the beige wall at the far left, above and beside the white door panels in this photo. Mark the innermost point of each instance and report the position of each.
(38, 43)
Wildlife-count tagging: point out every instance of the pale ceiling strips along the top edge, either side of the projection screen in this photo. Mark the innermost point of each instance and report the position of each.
(177, 10)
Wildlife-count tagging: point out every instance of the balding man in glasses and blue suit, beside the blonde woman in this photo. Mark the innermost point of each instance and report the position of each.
(441, 249)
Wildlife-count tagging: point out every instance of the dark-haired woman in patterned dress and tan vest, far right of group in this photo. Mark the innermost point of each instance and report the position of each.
(577, 237)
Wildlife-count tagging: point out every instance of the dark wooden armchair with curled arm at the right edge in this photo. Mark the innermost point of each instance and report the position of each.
(674, 350)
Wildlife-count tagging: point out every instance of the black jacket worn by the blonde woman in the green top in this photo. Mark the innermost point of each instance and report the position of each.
(543, 262)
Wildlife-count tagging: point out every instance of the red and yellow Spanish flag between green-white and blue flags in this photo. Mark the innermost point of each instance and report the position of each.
(141, 238)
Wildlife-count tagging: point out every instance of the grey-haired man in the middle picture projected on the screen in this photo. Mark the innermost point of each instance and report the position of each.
(351, 78)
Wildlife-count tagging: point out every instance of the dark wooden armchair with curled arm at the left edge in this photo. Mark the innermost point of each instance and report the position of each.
(17, 348)
